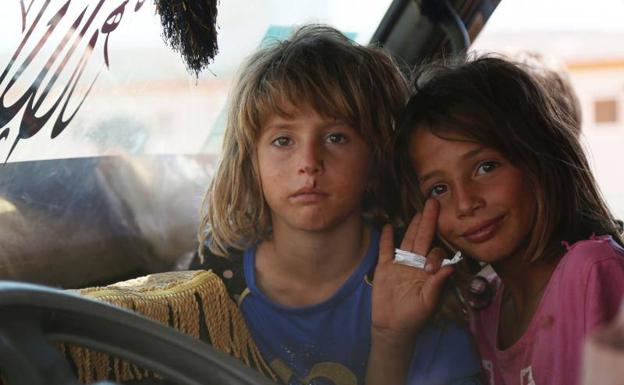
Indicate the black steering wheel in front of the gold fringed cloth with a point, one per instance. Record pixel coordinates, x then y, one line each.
33 317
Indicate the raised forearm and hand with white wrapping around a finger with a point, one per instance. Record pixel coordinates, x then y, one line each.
403 299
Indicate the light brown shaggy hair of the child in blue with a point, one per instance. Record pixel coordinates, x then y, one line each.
317 67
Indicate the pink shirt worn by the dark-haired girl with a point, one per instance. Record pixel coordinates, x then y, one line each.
584 292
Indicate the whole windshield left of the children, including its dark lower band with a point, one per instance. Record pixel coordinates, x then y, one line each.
108 141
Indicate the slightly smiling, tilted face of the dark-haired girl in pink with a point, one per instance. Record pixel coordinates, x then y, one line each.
487 205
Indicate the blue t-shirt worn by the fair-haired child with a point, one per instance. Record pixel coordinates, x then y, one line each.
329 342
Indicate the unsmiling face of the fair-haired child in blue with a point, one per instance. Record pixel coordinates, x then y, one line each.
314 170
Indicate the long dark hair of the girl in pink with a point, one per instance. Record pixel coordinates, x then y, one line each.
501 105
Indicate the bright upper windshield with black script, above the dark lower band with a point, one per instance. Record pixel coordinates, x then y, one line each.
88 78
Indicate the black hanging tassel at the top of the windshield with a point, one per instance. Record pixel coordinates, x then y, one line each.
190 28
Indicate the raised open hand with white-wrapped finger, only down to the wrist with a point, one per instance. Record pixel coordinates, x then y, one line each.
405 297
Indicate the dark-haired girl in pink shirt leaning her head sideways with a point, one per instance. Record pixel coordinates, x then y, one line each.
502 177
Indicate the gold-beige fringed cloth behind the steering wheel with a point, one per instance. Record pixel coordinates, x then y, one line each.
177 299
